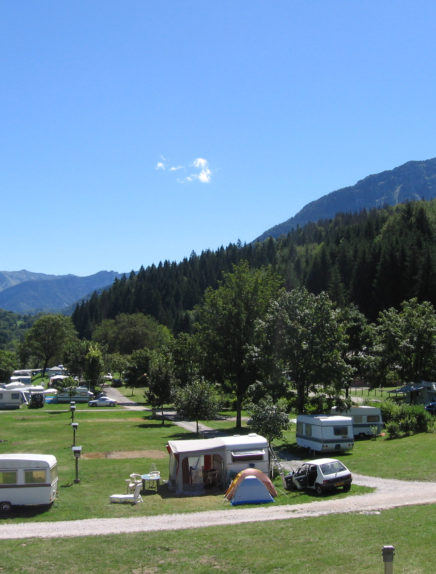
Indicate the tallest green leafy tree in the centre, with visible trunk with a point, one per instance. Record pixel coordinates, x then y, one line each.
226 328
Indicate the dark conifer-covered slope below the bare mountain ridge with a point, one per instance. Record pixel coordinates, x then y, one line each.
375 259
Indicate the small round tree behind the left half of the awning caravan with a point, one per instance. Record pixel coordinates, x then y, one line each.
196 400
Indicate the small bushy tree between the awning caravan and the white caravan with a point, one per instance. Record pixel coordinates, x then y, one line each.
268 419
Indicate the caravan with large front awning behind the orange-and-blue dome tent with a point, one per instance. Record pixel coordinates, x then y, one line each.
214 462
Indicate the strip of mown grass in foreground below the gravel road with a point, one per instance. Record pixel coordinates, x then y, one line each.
350 543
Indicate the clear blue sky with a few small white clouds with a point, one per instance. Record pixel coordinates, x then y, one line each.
138 131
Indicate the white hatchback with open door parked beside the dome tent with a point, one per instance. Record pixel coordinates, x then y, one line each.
321 475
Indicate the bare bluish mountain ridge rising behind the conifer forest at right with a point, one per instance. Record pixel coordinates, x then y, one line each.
412 181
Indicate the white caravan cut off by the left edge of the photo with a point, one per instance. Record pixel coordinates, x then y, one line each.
27 479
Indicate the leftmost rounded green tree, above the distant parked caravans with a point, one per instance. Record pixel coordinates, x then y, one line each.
47 339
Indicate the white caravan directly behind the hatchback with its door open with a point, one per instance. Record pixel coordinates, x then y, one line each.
323 433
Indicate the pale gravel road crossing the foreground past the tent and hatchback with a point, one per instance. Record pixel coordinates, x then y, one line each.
388 494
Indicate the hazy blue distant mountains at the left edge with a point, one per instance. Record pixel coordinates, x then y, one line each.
26 292
